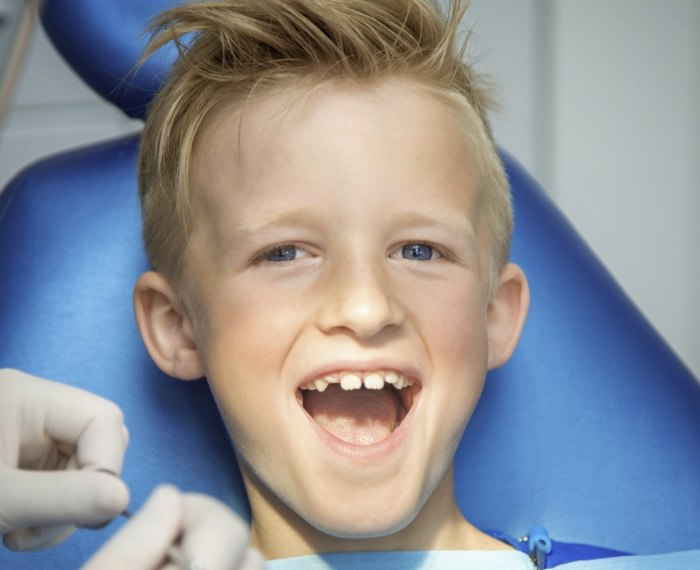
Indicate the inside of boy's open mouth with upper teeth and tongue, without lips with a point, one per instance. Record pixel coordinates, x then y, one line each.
360 408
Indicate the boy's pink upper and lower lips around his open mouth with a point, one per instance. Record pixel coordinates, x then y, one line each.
377 451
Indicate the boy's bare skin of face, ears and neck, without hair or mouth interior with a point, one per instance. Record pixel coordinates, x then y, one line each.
302 211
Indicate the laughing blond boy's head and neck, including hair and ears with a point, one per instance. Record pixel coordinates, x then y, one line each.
328 223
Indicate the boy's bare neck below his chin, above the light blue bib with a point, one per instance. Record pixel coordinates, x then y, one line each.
278 532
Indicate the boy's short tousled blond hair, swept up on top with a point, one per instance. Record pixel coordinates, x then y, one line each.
232 50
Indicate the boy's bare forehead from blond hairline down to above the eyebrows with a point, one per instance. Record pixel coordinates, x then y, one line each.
328 136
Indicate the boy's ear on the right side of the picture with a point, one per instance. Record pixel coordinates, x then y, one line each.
506 314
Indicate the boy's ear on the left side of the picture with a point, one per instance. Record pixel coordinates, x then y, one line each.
165 327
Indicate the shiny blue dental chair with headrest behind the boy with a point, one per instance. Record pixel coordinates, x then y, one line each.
592 429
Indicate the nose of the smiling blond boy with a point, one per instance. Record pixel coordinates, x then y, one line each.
360 301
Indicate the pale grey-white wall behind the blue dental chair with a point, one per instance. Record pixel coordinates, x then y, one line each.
601 102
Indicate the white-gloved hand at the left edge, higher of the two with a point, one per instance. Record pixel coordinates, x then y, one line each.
53 439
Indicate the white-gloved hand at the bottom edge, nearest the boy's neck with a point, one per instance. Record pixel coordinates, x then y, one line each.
204 531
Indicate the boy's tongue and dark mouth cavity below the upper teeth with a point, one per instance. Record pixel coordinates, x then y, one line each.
360 417
